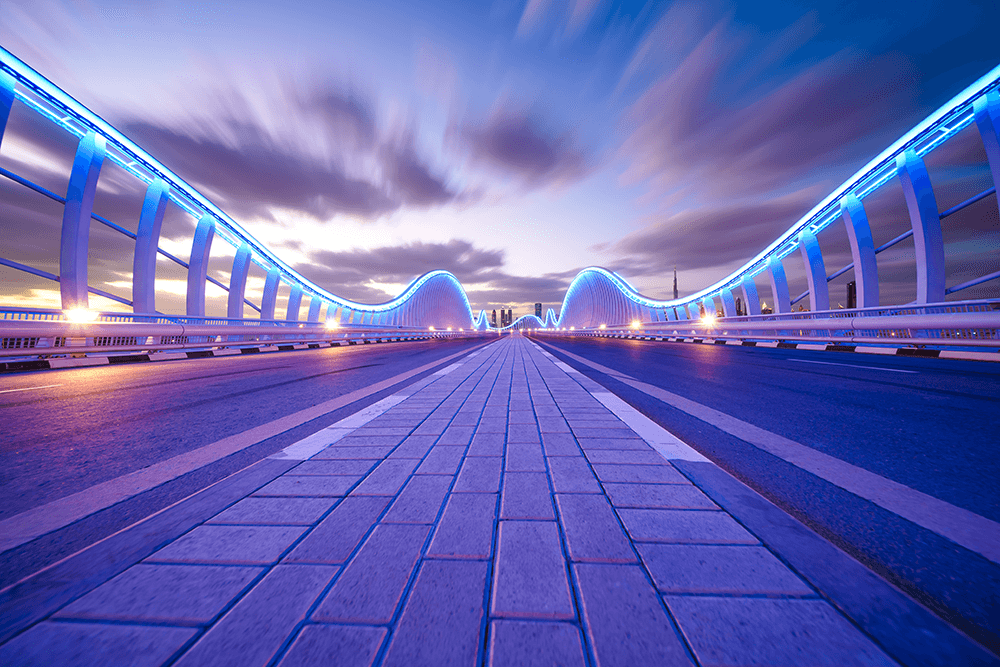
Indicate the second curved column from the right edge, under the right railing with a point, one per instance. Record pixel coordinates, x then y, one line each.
926 223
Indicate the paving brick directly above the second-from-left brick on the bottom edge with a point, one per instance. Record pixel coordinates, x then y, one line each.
336 536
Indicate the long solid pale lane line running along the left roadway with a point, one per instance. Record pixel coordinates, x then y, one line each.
26 526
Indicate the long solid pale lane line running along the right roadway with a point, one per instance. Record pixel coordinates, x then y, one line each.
965 528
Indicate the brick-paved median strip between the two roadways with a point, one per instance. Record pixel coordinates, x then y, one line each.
497 513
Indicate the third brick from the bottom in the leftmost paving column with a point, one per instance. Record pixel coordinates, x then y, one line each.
236 545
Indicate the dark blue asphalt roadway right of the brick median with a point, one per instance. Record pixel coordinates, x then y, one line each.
928 424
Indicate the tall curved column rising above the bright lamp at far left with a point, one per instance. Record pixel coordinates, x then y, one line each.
75 239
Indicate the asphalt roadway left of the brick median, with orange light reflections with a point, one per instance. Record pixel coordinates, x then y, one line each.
62 432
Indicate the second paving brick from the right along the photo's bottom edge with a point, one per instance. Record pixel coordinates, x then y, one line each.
624 618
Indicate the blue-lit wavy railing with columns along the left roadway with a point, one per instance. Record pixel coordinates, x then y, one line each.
434 299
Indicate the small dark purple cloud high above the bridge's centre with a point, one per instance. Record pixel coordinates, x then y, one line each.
514 144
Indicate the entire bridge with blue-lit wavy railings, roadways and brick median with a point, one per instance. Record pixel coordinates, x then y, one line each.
696 481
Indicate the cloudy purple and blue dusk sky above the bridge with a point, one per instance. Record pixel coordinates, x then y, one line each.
510 142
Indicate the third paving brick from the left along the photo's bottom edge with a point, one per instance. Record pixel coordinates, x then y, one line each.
340 645
